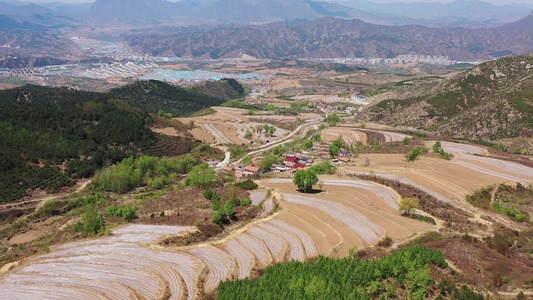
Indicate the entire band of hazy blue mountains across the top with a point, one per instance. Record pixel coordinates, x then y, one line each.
229 29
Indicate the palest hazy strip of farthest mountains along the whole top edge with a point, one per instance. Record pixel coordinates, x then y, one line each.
138 12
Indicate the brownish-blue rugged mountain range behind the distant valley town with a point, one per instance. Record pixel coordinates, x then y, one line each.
333 37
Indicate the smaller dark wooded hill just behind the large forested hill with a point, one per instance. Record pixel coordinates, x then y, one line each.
153 95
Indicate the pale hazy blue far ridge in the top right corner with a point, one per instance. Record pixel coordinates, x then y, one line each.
462 11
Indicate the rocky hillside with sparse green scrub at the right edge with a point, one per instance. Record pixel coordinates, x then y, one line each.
491 101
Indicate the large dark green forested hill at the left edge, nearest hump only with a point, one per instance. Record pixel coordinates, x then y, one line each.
48 130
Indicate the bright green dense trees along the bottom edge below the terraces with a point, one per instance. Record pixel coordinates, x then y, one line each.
330 278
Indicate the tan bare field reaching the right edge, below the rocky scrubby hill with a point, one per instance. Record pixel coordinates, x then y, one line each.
450 180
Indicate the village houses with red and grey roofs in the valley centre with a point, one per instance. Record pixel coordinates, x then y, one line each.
292 162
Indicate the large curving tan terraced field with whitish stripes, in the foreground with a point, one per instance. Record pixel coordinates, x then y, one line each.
127 264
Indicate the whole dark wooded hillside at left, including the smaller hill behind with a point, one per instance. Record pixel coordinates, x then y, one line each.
49 137
